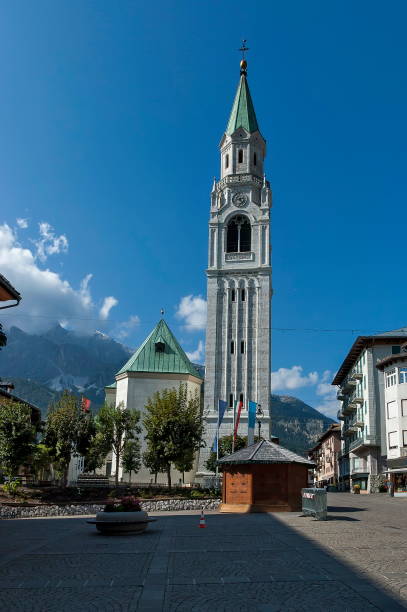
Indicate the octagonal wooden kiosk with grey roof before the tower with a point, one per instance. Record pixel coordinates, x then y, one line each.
263 477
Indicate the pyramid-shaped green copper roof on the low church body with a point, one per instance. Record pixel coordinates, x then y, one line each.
148 359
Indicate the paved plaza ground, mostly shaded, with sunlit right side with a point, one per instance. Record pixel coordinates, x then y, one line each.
357 560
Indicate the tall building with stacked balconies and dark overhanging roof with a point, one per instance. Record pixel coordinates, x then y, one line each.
363 455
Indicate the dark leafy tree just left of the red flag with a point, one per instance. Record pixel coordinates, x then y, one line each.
68 431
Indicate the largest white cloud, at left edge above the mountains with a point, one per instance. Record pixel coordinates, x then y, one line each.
46 297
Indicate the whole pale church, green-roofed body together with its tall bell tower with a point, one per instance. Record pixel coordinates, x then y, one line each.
238 334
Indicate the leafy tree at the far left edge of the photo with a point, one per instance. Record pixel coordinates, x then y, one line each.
17 435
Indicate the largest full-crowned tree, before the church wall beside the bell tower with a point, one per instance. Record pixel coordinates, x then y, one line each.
173 427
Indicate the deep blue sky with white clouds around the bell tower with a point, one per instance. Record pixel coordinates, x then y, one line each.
111 115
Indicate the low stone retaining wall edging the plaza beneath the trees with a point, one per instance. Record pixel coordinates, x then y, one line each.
164 505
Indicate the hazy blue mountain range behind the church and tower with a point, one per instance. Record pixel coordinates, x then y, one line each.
41 366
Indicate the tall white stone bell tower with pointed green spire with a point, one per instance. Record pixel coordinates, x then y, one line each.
238 334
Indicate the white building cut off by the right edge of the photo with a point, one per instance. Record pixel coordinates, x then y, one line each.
394 368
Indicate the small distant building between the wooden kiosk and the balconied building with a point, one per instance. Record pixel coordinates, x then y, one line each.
325 456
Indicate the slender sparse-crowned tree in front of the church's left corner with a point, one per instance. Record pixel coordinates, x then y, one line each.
117 425
